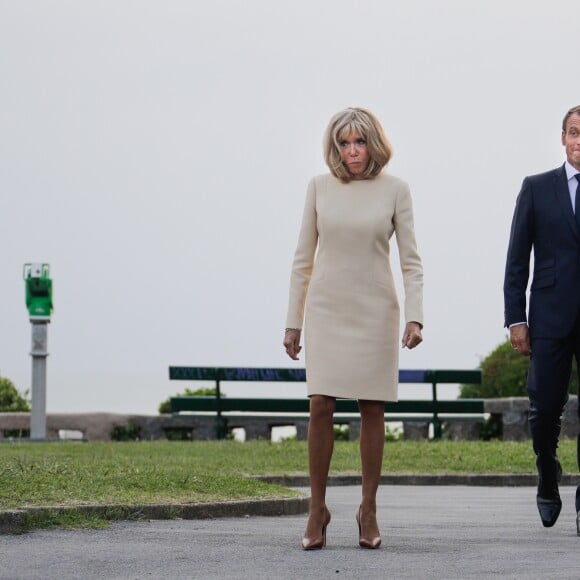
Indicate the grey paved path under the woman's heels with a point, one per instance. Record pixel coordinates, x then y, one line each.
428 532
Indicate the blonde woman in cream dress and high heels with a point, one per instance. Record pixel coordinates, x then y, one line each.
342 288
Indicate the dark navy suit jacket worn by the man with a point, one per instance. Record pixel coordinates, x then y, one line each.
544 219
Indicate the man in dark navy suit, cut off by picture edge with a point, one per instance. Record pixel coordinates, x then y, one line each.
547 219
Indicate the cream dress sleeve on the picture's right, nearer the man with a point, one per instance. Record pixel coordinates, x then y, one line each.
411 265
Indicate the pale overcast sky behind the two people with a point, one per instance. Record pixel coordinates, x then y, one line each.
156 155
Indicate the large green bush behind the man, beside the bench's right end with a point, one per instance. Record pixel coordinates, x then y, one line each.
505 374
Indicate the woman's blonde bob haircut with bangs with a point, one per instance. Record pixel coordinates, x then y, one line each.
368 126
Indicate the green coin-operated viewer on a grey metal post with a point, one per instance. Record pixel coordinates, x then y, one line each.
39 304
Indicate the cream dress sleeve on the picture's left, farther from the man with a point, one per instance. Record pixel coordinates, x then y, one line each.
303 261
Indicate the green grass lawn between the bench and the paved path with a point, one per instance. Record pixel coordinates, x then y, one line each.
51 474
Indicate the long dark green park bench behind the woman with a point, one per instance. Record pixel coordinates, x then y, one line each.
277 410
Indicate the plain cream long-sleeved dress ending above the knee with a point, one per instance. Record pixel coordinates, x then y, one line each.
342 285
